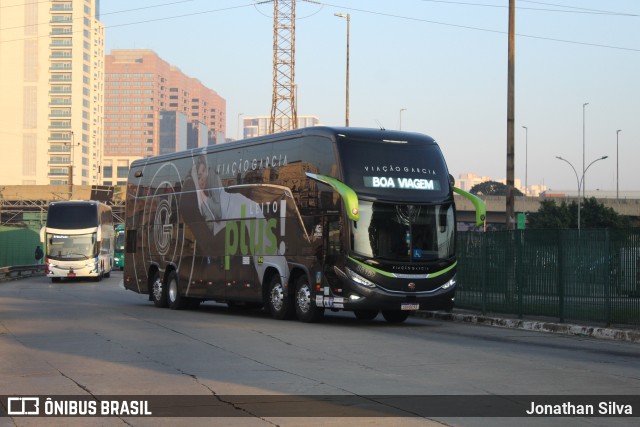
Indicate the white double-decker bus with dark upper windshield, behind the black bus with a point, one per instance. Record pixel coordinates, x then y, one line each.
78 240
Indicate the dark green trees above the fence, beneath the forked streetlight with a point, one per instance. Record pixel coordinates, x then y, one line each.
593 215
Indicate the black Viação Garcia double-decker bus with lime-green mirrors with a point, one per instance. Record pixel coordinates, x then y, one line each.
300 222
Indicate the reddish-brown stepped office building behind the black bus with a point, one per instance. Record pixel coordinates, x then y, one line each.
152 108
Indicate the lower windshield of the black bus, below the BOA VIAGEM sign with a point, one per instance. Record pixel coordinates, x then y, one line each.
404 232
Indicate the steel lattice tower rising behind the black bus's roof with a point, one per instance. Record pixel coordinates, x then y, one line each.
283 106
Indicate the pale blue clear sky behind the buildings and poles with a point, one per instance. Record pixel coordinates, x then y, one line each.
436 67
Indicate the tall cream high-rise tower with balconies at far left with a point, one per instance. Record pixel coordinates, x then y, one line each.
52 85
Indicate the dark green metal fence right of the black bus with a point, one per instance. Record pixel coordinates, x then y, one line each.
587 275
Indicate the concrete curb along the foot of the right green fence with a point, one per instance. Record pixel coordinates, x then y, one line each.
532 325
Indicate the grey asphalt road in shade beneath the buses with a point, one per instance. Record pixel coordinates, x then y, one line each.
84 338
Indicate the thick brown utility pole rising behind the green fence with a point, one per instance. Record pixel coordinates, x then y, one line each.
510 207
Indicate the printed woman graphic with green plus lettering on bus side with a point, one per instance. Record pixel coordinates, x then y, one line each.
249 215
